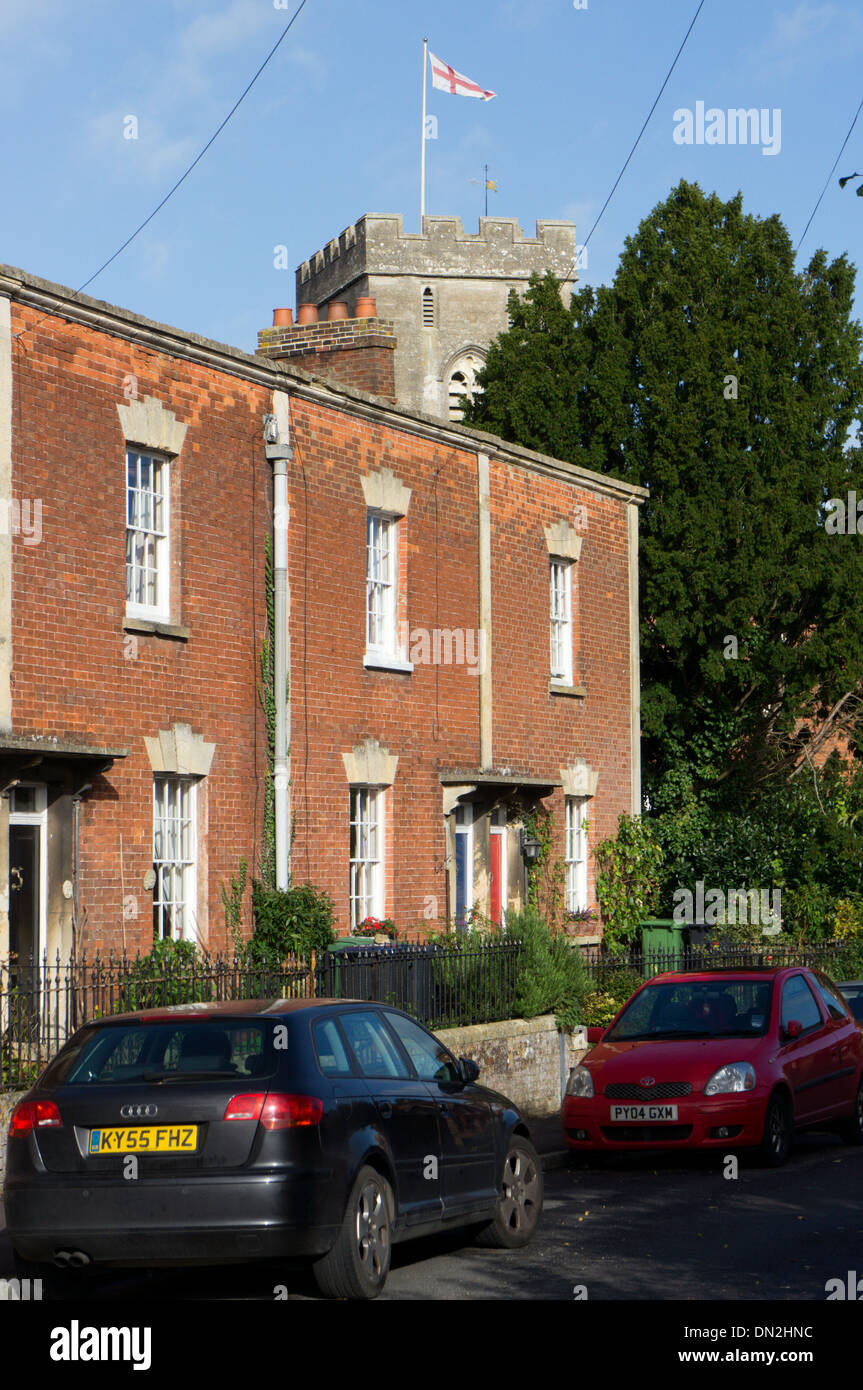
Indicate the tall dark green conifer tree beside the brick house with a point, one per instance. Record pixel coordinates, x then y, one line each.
730 384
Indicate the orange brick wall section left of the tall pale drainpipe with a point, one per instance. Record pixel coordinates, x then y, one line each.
77 673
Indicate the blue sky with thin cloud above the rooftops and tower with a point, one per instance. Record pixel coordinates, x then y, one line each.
333 130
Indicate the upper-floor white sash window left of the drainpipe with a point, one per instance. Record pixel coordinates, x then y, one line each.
142 522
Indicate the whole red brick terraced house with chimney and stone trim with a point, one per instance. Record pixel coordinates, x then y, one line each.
461 633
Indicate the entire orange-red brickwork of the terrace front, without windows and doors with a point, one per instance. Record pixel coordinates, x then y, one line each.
79 673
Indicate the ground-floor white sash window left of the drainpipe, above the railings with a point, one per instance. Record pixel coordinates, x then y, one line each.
179 865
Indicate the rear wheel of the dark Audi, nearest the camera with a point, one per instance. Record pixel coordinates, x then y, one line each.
359 1263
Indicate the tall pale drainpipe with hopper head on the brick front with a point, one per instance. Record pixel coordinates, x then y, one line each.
277 433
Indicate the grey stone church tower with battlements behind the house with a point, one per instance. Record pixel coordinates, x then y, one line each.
444 290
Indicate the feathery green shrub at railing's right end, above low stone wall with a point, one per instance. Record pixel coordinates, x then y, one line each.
551 972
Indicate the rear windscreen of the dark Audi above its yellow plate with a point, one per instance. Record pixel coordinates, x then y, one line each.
112 1054
